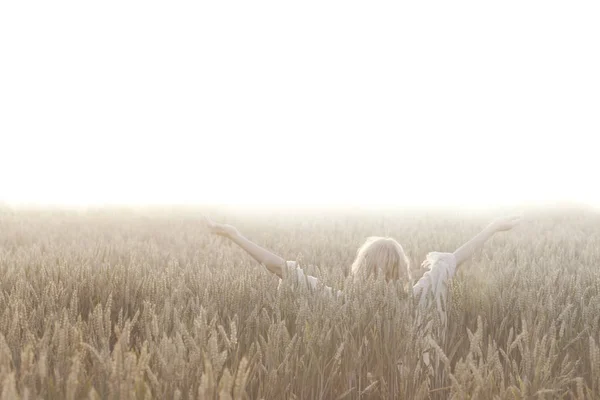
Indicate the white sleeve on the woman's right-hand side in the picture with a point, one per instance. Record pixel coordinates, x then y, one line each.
435 281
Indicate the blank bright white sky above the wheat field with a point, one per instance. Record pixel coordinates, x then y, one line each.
302 102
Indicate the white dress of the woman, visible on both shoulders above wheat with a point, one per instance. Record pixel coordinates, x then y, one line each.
433 285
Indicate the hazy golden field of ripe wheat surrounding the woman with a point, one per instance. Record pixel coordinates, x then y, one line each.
123 304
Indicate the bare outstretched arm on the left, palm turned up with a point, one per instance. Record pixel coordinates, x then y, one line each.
272 262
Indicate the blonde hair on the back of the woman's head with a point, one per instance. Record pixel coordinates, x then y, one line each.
381 255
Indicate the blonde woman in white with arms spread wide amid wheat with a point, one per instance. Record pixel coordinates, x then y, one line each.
379 255
